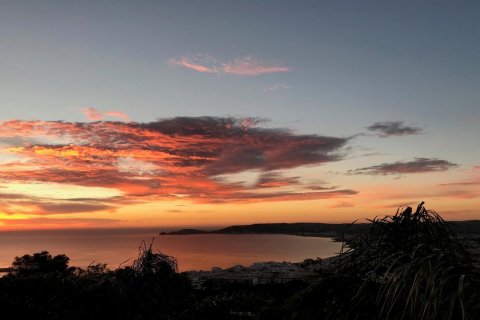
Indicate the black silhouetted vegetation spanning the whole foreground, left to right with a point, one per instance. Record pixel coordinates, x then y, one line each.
407 266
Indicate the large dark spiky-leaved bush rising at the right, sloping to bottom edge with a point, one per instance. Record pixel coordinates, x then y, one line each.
407 266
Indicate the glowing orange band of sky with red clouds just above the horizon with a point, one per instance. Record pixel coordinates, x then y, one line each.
206 172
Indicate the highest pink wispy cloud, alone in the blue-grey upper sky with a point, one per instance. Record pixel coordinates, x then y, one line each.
242 66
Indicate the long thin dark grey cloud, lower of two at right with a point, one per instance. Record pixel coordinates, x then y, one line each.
419 165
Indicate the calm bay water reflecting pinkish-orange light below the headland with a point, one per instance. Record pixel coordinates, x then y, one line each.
194 252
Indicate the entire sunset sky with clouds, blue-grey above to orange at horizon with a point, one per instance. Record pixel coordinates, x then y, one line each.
212 113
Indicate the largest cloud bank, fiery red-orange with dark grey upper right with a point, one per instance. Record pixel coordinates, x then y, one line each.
169 159
